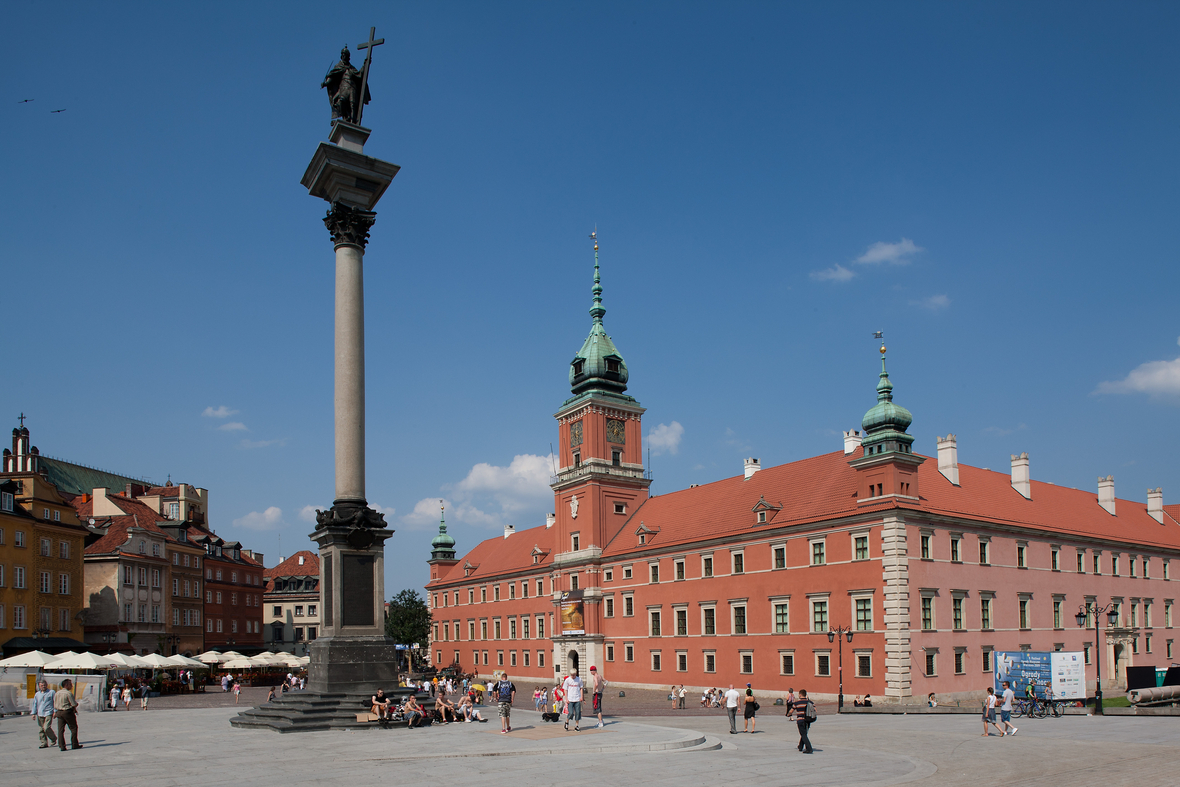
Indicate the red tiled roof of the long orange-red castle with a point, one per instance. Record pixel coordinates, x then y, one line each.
825 488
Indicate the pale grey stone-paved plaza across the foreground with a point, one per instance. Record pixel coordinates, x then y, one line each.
199 746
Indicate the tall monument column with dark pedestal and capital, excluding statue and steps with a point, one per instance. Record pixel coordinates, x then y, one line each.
352 655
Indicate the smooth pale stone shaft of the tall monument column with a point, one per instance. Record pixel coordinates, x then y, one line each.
350 373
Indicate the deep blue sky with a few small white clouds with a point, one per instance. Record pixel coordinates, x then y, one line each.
994 186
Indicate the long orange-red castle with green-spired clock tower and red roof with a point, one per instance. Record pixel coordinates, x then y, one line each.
930 565
